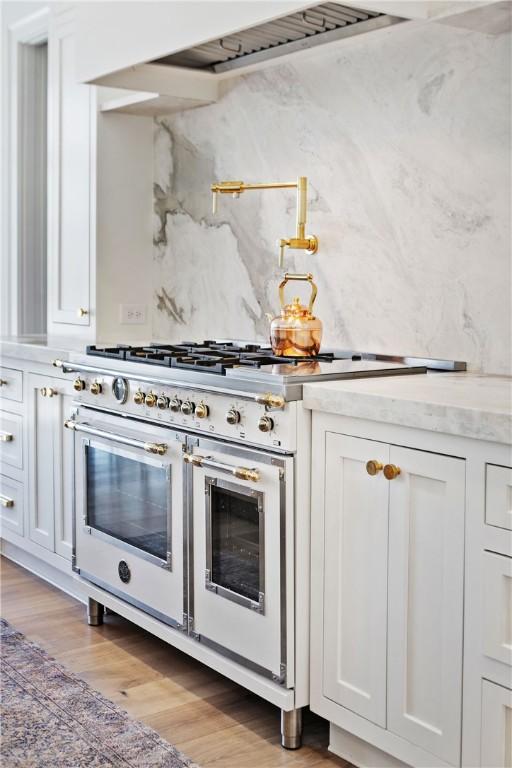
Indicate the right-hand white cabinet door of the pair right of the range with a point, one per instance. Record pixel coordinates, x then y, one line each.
425 615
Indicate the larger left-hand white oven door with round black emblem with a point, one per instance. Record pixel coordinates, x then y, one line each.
129 511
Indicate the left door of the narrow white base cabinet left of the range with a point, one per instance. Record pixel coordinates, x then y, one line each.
41 416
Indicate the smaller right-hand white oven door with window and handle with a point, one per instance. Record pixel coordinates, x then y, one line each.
241 531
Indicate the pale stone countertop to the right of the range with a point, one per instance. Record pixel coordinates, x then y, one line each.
466 404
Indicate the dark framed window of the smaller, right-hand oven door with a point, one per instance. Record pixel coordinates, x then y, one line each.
235 543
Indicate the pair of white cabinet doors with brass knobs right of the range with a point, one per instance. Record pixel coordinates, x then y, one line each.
387 640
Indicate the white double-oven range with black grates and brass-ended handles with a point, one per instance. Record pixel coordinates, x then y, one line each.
192 466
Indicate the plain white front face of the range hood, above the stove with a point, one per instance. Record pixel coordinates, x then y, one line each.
114 36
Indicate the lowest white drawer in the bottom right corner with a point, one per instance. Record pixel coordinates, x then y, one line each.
496 744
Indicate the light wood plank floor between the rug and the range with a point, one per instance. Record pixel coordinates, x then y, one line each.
212 720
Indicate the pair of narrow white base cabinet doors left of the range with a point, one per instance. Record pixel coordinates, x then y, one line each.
50 463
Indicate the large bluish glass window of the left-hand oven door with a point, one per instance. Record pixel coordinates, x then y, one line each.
128 499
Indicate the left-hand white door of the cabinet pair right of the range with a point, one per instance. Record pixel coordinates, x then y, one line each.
355 586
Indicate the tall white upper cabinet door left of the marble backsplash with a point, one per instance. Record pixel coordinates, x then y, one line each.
69 180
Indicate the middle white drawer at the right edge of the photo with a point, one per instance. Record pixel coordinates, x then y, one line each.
497 608
